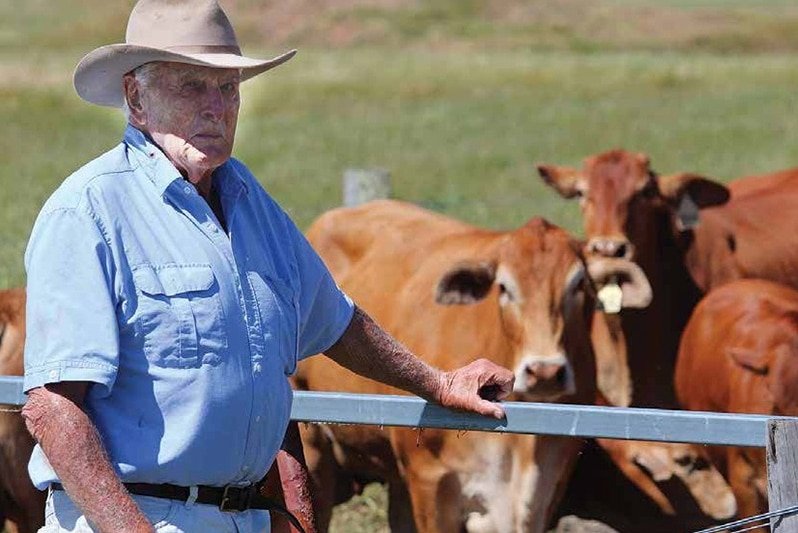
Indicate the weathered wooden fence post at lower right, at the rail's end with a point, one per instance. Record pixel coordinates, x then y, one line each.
782 454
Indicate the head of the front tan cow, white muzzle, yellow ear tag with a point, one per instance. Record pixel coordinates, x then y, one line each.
544 298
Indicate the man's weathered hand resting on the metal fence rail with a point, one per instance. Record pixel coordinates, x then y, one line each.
475 387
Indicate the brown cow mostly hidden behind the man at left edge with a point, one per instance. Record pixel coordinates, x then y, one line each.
20 502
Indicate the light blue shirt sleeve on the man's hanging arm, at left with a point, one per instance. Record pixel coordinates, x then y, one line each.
72 333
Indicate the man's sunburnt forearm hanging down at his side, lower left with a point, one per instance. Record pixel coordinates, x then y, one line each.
74 449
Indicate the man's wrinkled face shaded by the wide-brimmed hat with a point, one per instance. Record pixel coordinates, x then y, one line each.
191 112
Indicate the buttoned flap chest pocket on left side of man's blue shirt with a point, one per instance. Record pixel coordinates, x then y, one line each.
180 314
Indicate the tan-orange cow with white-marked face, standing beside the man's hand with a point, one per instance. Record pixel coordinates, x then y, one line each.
452 292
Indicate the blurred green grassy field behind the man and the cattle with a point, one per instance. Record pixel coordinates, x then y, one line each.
457 99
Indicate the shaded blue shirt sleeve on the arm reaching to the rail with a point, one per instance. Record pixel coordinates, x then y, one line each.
324 309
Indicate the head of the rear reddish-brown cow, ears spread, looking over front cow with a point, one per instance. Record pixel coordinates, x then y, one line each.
618 192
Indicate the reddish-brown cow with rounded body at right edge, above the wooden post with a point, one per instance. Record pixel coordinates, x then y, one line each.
739 354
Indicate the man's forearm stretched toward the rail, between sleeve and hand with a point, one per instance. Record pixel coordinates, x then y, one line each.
366 349
